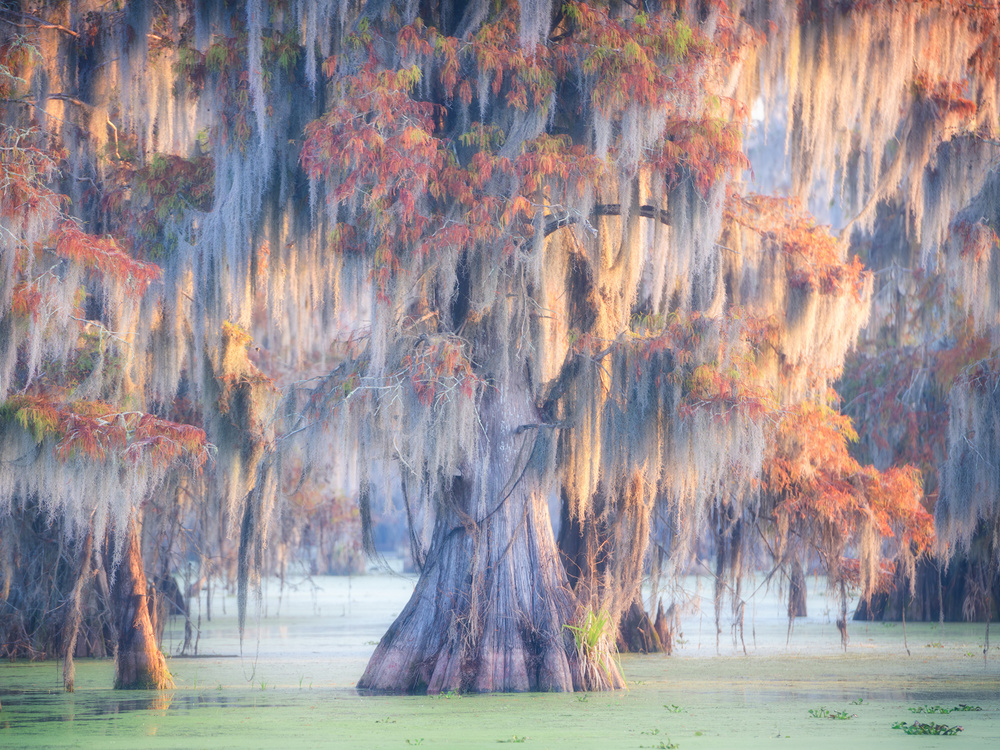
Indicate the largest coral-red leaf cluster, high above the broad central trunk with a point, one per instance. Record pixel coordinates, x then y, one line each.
377 150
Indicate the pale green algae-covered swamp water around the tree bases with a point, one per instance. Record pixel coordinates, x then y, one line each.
293 686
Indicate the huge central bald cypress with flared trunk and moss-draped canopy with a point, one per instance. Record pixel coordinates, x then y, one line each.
508 250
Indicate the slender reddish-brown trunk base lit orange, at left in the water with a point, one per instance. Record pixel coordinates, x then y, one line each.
139 664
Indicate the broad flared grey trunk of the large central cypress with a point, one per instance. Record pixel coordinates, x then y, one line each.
489 609
